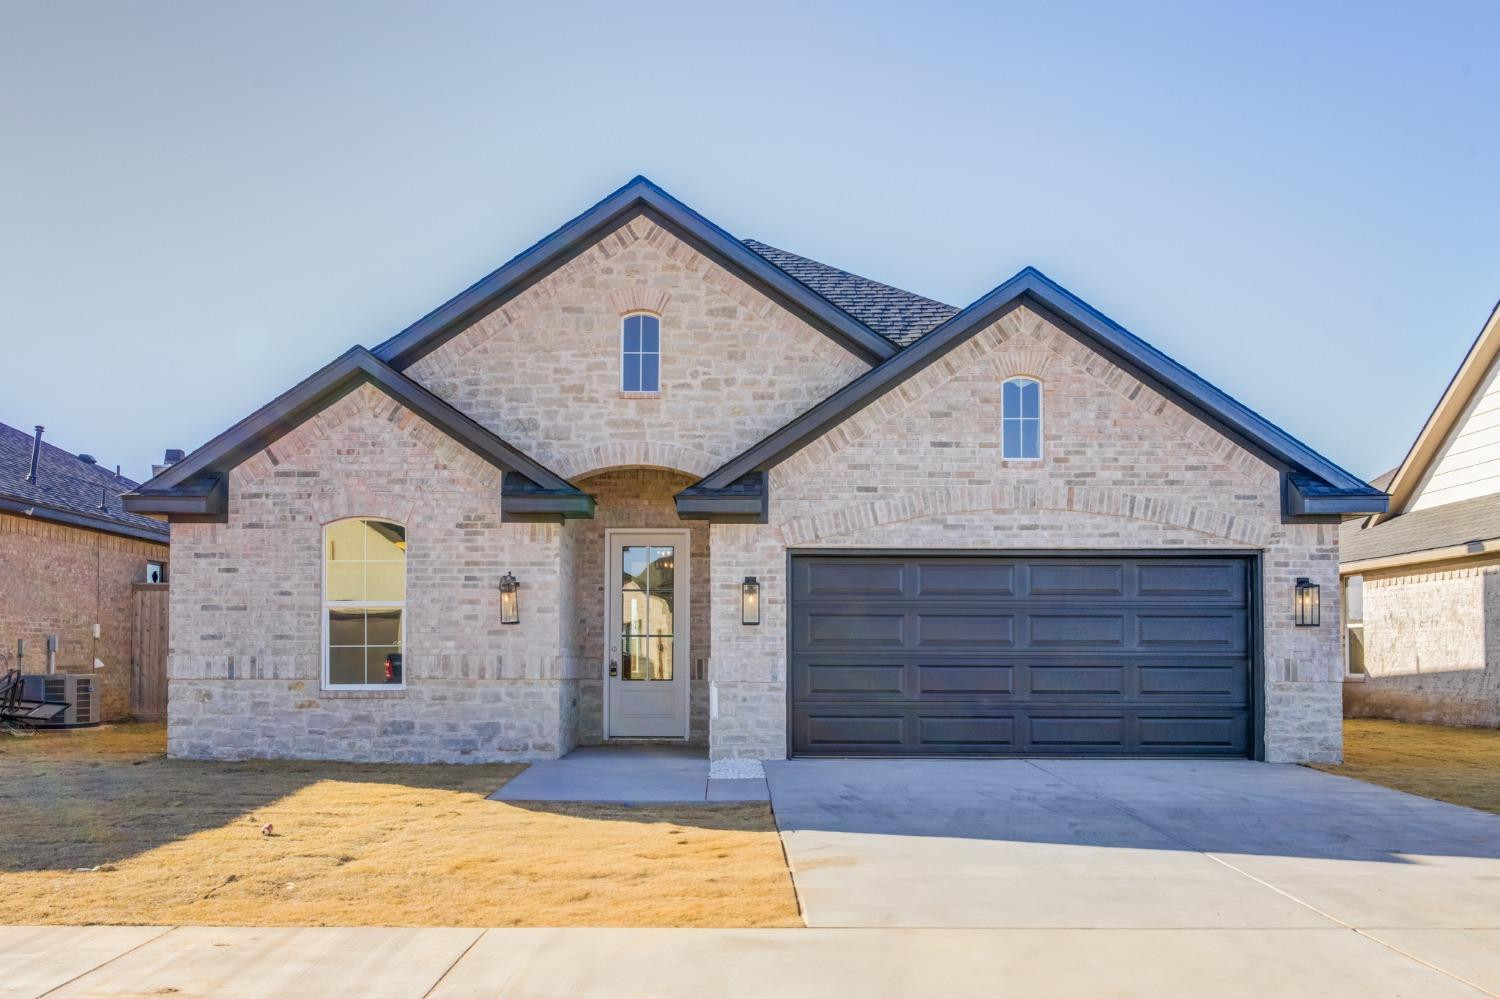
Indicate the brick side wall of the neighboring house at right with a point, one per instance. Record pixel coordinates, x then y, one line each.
1432 649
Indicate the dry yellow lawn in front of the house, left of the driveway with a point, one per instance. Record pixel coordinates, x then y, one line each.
100 827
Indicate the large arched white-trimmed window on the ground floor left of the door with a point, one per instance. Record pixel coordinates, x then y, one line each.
364 604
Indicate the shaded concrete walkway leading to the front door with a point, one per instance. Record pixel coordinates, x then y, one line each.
631 775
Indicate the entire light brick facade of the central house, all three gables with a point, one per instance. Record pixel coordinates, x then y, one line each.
1124 469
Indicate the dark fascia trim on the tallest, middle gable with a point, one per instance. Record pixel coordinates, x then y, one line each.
638 197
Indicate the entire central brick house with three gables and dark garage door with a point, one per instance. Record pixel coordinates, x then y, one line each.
755 503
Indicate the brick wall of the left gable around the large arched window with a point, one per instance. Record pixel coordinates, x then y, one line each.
245 668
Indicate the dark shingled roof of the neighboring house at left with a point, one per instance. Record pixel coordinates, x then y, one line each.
68 490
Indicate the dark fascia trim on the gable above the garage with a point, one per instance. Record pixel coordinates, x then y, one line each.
1036 290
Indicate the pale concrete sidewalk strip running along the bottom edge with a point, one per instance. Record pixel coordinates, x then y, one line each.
397 964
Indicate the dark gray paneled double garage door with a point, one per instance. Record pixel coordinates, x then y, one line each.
1048 656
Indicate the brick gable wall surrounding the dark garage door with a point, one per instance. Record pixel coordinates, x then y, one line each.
1123 469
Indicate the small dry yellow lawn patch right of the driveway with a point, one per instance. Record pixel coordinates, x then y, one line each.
1459 766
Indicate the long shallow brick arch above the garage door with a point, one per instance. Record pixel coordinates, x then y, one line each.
962 500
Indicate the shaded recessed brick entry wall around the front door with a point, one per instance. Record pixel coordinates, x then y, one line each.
634 499
